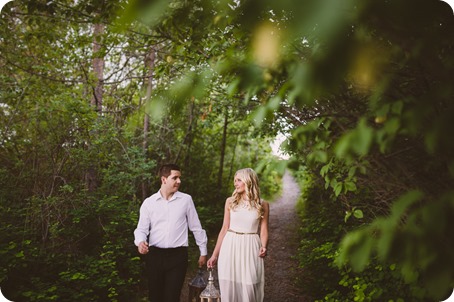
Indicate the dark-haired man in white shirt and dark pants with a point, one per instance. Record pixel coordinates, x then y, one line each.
162 234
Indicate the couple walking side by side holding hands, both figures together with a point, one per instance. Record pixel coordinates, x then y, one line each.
162 236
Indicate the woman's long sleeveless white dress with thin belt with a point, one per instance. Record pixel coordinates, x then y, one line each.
241 271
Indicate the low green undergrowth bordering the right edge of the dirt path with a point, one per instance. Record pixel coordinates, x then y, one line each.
324 225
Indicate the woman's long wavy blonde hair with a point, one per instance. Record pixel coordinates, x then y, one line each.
251 191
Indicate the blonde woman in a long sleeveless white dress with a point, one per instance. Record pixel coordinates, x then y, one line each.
240 248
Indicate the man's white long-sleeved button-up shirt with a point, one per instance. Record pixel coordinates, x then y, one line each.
165 223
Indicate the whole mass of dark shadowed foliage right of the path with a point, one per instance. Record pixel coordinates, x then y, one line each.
380 147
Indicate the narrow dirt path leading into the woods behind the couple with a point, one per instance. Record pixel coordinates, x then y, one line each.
281 269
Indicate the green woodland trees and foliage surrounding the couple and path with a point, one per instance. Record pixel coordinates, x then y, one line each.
96 94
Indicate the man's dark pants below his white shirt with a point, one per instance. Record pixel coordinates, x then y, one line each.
166 271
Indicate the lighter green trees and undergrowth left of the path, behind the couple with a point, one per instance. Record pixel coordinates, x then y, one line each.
76 163
